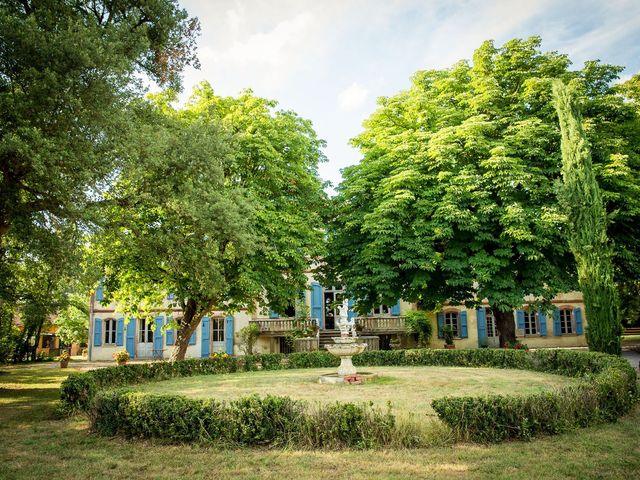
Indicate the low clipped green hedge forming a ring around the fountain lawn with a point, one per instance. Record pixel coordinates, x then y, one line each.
607 390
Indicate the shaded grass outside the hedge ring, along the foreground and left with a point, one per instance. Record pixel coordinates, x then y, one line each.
35 444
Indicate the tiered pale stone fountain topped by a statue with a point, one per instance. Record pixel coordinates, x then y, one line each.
346 346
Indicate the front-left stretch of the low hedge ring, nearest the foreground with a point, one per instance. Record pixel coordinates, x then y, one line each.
274 421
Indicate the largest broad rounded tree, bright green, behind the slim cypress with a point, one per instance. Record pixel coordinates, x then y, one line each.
455 196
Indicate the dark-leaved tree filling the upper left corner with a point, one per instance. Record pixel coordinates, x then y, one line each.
68 68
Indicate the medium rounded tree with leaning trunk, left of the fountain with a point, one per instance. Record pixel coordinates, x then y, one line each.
221 210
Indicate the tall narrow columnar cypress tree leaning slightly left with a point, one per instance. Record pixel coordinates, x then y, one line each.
587 226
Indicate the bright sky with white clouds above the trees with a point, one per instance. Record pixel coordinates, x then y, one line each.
330 60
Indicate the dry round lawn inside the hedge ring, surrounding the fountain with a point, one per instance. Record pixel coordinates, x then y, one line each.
407 389
